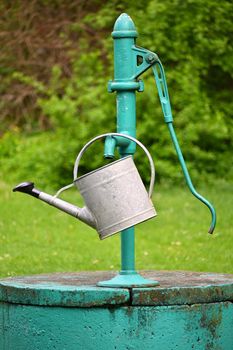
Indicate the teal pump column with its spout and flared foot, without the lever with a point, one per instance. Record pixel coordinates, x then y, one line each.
125 85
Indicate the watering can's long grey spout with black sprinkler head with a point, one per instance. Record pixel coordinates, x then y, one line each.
82 214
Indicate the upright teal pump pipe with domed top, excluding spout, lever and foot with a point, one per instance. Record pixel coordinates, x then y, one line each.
124 35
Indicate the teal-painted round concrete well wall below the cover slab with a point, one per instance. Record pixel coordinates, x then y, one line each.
199 327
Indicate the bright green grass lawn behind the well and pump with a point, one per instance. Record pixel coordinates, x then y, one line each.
36 238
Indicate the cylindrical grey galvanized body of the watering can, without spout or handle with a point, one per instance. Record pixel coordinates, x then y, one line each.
116 196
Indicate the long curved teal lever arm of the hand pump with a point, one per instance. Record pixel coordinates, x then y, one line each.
161 84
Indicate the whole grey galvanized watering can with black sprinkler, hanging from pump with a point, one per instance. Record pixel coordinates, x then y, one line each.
114 195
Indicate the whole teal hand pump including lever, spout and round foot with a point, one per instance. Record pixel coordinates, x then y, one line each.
131 61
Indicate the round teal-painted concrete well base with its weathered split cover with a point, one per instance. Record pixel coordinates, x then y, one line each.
67 311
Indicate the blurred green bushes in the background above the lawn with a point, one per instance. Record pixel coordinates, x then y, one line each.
194 41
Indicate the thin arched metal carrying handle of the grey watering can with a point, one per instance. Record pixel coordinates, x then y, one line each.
76 165
